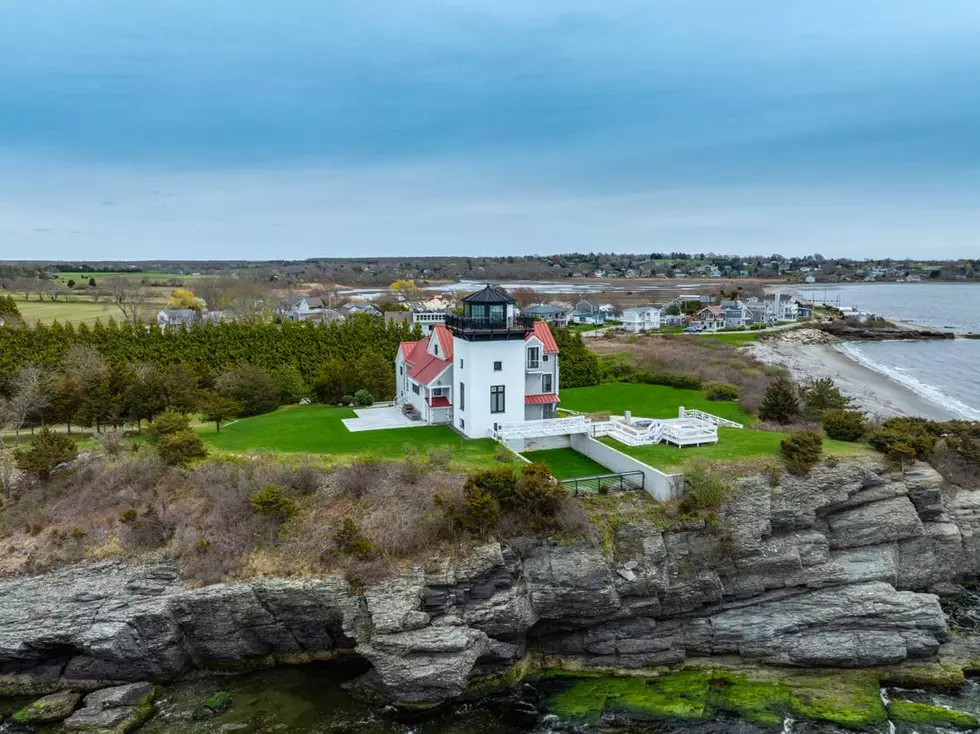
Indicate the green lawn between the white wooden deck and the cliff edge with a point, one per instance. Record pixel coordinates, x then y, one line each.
733 445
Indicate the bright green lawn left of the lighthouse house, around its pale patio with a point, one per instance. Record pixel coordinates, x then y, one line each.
317 429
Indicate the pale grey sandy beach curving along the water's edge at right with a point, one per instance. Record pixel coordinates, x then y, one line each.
872 392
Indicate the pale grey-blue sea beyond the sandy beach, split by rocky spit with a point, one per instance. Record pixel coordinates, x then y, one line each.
946 373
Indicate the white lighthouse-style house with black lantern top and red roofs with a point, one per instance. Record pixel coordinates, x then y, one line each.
484 368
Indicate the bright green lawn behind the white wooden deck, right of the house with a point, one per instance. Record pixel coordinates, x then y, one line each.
647 401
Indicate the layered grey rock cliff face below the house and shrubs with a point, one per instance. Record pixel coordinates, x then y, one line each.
839 569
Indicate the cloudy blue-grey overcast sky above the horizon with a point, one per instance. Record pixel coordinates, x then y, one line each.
302 128
